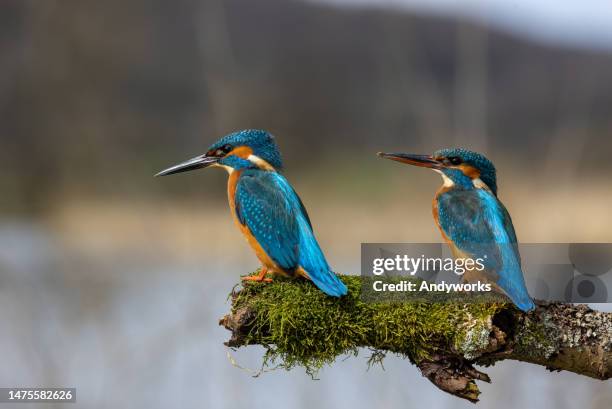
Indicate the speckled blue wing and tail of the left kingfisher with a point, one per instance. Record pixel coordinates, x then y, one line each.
275 215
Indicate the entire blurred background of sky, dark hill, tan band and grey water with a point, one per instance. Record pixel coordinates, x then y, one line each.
112 281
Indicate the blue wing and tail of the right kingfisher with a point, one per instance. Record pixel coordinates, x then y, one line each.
478 223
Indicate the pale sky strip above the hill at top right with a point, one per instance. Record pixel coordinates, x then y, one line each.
582 23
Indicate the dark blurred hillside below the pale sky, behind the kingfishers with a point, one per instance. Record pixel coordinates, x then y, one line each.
95 95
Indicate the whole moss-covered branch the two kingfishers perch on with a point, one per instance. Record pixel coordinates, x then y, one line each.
298 325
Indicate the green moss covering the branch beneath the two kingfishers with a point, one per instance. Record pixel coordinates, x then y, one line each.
299 325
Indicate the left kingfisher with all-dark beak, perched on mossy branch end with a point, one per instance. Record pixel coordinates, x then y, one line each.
266 208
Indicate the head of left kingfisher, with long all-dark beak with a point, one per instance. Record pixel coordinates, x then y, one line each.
247 149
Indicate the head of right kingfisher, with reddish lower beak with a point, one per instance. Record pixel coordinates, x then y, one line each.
458 166
